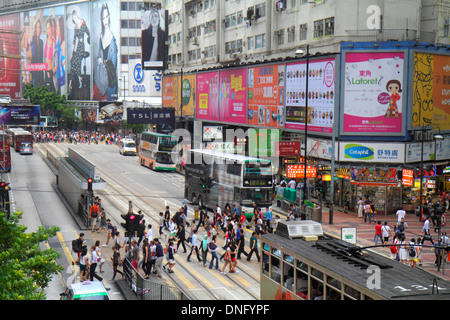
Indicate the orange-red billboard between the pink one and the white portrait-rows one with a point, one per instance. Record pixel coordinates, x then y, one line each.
266 96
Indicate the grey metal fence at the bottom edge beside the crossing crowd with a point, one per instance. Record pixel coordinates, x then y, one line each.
149 289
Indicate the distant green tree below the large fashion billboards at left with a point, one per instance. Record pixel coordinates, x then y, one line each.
51 104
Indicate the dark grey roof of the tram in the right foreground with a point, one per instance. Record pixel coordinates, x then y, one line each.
397 281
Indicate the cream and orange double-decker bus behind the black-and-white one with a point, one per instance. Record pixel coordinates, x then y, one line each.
157 151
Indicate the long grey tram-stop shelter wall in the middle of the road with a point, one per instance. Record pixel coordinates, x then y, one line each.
74 170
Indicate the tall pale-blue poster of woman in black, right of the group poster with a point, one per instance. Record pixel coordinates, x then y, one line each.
78 60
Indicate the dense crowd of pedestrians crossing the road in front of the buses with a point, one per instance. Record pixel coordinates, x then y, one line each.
154 253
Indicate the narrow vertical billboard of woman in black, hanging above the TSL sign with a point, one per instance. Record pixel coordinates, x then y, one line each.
154 24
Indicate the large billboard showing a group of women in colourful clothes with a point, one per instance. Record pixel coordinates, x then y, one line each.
43 48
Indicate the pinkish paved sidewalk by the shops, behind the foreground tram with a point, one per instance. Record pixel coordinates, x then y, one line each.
366 234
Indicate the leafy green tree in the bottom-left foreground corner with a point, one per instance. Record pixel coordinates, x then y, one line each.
25 269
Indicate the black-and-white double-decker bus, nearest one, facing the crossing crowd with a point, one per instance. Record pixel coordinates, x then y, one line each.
225 179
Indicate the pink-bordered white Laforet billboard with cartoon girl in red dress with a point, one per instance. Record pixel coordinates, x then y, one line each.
374 85
